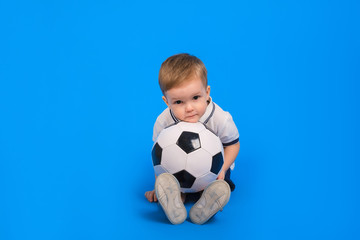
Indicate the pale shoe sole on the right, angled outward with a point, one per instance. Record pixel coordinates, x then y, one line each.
213 199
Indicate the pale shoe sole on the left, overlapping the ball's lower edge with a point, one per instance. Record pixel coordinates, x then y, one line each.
167 190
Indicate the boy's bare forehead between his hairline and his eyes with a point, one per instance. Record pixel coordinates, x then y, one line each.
186 89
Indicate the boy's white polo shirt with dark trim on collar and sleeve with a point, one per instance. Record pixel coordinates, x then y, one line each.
216 119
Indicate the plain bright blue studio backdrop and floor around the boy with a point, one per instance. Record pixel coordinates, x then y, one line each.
79 97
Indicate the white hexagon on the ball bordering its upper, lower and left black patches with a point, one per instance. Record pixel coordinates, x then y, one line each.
173 159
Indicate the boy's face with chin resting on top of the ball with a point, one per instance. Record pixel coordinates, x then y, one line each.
188 101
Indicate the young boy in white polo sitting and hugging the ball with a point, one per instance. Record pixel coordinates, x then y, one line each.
183 82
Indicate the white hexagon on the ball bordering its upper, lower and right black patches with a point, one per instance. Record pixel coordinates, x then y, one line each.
198 162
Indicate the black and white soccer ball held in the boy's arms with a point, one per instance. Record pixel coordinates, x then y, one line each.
191 152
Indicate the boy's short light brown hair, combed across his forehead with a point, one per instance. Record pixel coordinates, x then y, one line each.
178 69
